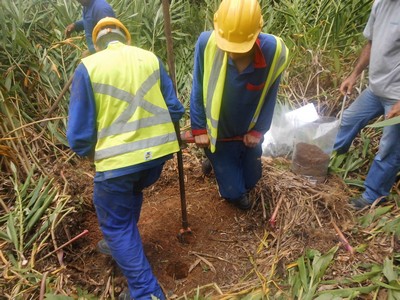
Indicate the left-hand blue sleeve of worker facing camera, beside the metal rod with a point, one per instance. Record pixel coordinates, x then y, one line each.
197 111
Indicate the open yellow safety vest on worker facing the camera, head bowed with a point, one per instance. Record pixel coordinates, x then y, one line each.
215 65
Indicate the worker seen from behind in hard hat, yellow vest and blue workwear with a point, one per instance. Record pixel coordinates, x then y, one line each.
122 109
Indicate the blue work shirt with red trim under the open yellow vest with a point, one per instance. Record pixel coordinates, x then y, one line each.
242 92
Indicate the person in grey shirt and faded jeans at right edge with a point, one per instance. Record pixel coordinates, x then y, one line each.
381 54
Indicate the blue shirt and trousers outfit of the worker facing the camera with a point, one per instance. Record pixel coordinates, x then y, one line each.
237 168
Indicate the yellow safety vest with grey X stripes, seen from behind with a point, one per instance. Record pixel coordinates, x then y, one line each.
133 122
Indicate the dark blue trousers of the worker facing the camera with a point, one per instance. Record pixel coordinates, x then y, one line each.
237 168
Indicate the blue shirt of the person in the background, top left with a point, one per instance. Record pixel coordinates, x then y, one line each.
91 14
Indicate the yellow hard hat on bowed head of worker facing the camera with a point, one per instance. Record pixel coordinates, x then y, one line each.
237 24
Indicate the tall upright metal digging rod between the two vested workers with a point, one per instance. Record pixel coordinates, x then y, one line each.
168 34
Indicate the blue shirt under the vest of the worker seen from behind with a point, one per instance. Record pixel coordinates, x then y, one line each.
82 131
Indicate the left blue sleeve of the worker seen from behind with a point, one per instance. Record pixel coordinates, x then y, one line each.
81 129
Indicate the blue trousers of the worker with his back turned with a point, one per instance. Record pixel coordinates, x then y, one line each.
118 202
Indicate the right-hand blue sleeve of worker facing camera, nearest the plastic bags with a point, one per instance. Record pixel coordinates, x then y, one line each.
265 118
